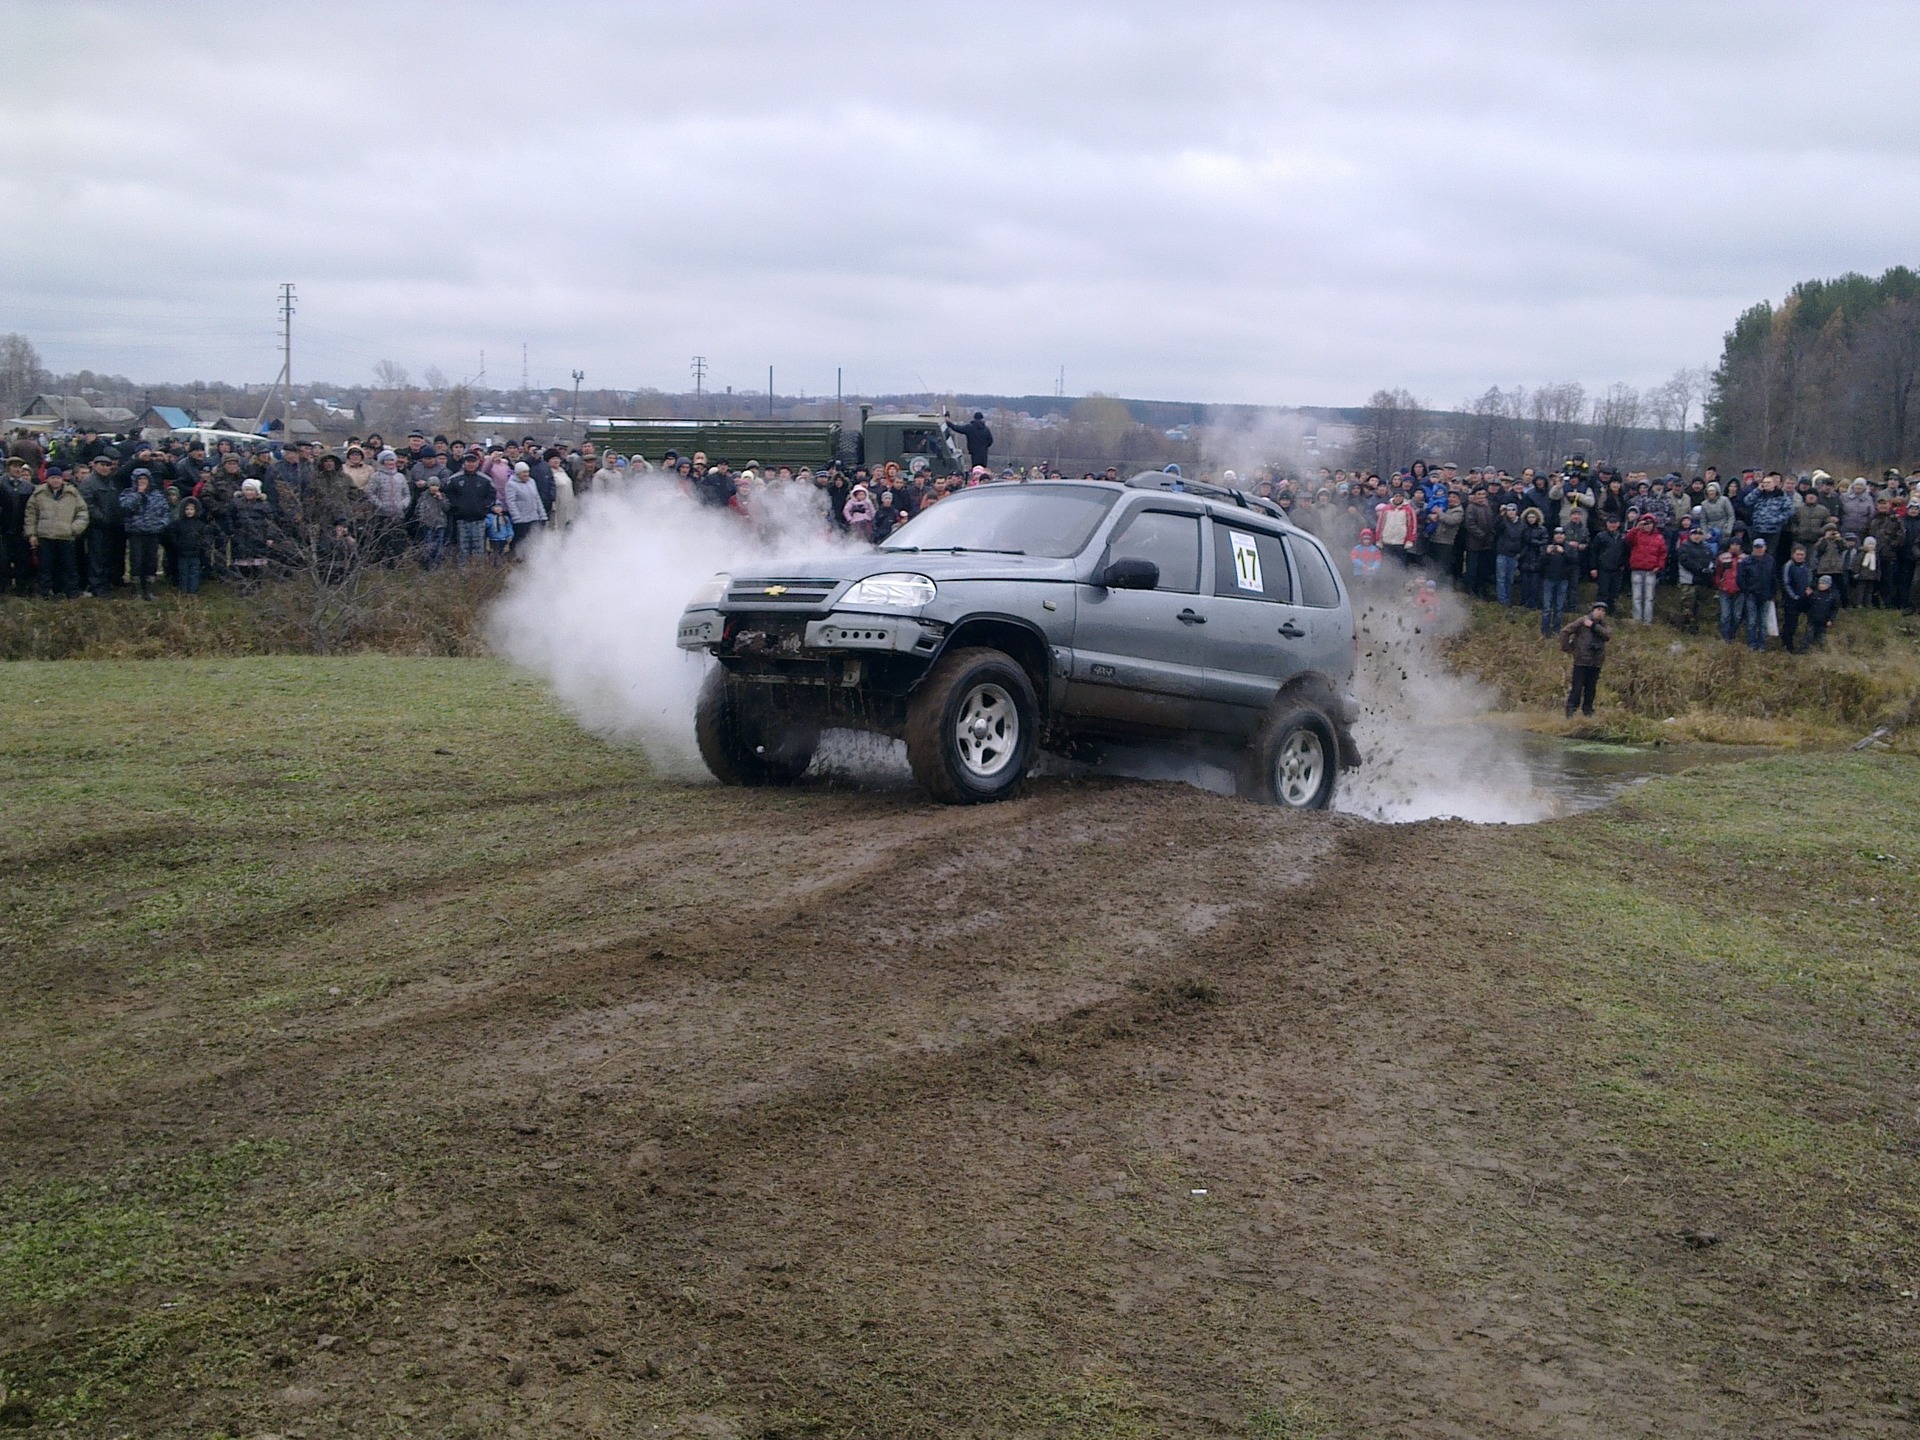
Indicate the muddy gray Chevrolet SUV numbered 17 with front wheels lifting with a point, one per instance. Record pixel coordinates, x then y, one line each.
1055 615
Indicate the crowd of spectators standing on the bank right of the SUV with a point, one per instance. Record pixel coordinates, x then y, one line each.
1764 552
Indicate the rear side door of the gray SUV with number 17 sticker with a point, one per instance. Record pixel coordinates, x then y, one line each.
1257 636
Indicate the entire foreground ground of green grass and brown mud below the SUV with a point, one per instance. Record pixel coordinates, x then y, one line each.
381 1055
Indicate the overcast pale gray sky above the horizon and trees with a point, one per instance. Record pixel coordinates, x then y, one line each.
1266 203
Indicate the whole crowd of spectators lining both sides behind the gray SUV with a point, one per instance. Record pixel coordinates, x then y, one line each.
1764 554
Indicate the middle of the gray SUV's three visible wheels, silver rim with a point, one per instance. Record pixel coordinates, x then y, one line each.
971 727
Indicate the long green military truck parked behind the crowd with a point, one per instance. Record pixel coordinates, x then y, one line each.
815 444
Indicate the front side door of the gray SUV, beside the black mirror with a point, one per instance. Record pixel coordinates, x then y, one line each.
1138 654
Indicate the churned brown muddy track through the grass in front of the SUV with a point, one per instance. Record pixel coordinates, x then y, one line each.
698 1184
